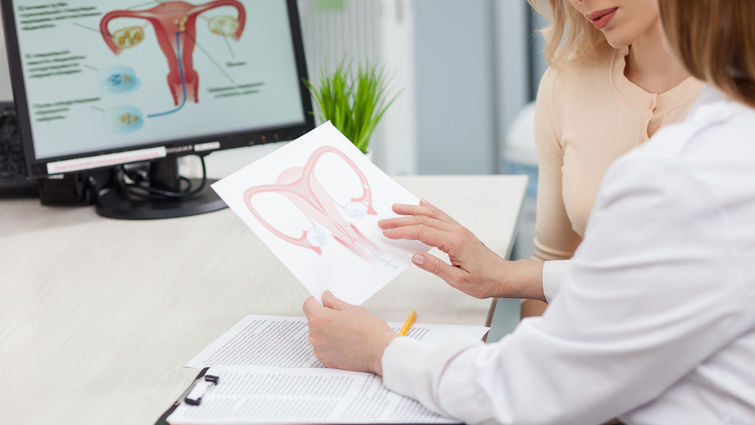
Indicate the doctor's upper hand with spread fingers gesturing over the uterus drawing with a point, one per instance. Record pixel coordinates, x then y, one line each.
474 269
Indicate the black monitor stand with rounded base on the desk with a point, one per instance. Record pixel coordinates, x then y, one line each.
116 202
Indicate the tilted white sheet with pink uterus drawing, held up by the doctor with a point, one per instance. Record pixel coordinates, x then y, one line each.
316 203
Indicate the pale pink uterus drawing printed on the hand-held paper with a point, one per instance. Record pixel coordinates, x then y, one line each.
301 187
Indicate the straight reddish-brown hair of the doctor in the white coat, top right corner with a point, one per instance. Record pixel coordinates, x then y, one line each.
715 40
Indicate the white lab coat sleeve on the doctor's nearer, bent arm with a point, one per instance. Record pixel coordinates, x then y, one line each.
649 295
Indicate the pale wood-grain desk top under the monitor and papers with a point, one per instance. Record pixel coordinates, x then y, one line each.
98 316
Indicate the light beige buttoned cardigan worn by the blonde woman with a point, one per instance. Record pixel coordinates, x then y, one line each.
587 115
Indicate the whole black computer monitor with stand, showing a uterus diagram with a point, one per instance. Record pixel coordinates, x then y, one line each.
102 84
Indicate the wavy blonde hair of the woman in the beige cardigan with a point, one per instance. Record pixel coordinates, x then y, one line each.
569 36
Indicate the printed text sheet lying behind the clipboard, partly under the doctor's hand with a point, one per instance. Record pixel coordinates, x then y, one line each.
278 341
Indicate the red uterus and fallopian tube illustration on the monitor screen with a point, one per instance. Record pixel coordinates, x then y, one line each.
175 27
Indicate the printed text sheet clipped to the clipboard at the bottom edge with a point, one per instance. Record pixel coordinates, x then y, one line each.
272 395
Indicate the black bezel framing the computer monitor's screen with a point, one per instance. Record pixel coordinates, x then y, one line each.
38 167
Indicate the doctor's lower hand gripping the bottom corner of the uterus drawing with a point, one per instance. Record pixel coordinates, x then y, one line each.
346 336
